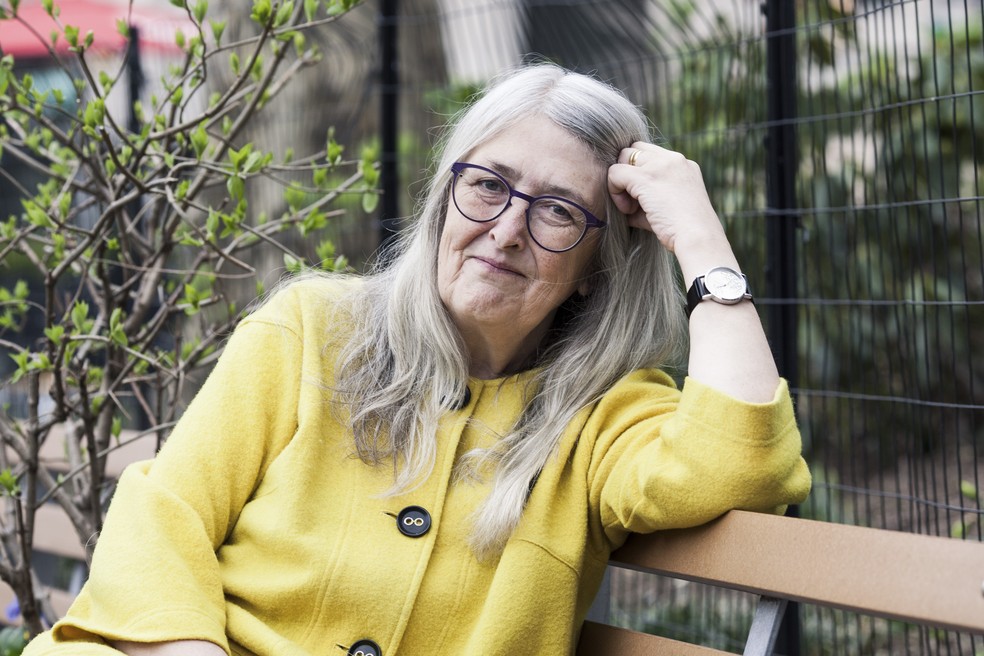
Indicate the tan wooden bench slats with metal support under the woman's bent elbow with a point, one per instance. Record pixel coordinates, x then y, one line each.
920 579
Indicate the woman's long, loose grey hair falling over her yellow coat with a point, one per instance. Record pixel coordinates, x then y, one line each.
406 364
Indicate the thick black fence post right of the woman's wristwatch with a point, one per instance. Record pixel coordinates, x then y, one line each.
781 223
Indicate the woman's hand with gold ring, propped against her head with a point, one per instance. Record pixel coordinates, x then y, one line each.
662 191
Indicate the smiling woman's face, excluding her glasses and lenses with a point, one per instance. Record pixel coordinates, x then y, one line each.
492 276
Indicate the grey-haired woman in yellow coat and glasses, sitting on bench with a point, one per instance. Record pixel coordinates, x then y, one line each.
439 457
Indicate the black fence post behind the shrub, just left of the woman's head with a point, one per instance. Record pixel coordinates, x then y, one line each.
389 82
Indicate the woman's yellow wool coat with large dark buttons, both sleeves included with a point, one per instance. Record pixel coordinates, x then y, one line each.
257 529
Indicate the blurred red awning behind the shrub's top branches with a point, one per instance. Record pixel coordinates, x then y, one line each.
157 25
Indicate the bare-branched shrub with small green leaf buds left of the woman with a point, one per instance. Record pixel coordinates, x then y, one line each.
117 267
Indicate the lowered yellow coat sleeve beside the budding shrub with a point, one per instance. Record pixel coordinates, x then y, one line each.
154 575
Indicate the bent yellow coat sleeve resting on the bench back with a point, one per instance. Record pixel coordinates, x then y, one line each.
664 459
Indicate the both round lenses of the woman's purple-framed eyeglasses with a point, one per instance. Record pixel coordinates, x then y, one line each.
554 223
